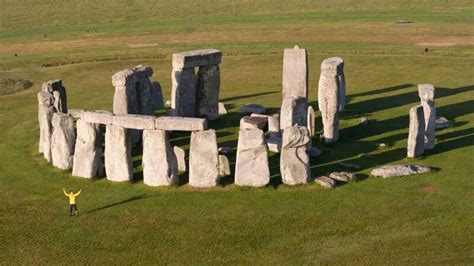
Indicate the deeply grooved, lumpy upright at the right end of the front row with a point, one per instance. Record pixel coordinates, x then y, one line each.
294 160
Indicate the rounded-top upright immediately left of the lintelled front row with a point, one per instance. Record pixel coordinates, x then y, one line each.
62 141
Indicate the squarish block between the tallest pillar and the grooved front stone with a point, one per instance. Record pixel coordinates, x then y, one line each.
294 111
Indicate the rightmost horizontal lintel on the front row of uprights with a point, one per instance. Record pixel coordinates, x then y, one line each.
180 123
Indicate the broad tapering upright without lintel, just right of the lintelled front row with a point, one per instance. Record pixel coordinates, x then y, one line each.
251 168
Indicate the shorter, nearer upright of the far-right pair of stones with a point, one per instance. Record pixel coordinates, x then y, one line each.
416 135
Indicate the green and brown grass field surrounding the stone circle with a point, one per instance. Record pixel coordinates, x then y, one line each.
422 219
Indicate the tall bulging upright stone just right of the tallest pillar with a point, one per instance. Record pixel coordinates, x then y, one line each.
330 100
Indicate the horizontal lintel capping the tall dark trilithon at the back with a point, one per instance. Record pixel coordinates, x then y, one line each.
190 59
